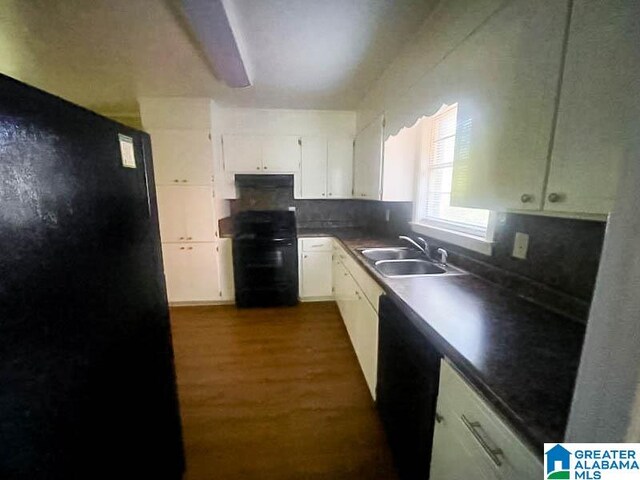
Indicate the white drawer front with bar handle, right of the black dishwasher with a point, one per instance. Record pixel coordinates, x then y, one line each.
468 414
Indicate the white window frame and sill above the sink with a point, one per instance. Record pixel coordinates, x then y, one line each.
463 235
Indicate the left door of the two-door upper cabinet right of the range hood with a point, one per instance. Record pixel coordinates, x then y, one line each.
313 168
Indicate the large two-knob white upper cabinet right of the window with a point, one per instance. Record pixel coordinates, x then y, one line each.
539 132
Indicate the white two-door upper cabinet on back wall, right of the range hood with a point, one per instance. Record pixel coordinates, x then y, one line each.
326 169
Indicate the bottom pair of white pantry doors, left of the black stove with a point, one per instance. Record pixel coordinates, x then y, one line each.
191 272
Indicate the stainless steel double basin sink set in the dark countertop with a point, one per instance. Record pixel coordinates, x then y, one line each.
405 262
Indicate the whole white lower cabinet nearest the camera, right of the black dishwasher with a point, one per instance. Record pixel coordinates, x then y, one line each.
471 441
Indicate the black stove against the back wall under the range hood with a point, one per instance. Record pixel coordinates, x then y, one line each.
265 258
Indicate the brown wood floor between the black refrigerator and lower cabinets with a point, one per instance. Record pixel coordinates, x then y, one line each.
274 393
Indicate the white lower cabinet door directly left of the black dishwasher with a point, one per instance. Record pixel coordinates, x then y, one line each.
367 344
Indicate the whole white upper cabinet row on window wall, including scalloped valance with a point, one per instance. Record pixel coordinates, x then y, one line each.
540 126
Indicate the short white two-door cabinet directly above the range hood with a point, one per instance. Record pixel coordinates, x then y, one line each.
261 153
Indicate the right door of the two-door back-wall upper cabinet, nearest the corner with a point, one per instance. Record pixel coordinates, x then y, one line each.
339 167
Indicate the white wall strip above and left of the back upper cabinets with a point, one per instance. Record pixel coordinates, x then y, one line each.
272 122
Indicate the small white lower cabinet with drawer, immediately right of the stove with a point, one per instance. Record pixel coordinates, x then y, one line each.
314 268
